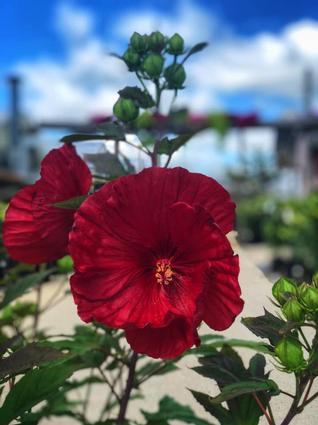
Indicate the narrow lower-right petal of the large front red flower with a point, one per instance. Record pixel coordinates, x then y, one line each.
221 299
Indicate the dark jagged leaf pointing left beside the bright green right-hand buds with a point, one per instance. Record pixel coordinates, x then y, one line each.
266 326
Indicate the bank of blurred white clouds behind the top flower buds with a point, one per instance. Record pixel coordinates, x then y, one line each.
86 82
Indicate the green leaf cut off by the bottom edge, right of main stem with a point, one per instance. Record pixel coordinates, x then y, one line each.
170 410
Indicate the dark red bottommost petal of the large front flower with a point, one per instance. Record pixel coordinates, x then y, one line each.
164 343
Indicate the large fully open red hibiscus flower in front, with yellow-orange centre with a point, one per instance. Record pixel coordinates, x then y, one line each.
151 257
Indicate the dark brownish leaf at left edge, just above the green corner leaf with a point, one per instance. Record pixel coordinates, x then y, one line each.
26 358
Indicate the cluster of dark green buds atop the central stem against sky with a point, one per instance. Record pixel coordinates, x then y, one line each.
153 58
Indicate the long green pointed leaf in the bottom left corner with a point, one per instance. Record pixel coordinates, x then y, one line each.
35 386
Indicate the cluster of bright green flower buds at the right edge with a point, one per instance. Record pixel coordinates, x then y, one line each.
299 304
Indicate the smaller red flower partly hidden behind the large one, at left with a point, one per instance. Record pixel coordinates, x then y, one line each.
34 230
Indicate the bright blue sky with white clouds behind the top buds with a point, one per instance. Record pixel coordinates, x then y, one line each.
257 52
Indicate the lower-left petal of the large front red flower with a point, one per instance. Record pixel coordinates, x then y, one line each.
121 298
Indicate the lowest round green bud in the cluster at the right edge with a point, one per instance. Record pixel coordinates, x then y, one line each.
290 354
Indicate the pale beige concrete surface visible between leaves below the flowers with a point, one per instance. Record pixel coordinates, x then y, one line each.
256 290
